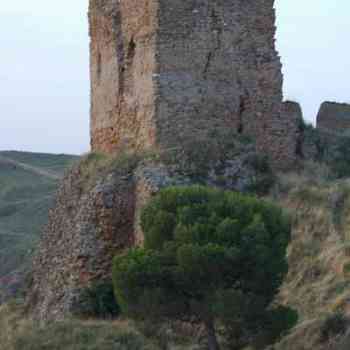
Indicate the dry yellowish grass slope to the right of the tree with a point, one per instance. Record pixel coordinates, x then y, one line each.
318 283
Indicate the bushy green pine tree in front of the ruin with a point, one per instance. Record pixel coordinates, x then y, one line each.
203 248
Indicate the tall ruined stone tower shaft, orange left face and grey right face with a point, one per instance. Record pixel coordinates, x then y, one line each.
163 71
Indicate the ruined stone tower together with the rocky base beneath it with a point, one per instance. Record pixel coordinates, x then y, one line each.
162 72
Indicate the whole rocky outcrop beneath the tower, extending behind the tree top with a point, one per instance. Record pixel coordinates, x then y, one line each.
97 215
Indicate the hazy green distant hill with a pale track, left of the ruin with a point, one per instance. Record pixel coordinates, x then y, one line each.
28 182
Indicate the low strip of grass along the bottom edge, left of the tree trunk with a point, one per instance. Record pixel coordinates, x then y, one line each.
17 332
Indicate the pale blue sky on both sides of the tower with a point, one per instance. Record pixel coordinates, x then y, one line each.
44 67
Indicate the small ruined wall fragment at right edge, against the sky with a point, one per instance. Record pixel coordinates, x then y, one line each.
334 117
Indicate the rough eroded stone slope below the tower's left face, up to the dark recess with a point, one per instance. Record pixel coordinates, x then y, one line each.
85 230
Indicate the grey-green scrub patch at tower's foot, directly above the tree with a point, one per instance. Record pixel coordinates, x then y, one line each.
221 158
